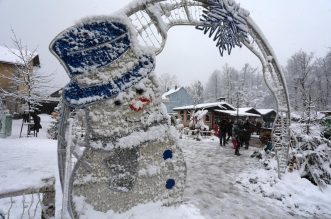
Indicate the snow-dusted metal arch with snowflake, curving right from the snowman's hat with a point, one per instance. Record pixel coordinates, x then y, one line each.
230 26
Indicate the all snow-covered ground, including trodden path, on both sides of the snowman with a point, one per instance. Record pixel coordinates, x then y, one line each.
219 184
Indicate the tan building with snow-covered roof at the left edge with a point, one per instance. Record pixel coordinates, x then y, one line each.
10 61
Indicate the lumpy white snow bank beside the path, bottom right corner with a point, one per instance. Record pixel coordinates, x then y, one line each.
293 193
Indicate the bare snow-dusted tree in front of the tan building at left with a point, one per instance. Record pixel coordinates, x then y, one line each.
26 83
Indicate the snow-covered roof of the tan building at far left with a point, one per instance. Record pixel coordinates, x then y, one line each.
7 55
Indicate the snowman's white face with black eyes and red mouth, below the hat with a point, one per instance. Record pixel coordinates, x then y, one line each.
132 110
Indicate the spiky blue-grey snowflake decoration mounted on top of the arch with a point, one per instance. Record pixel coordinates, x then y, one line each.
226 21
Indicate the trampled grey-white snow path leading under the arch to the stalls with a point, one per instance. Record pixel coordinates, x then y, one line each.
212 184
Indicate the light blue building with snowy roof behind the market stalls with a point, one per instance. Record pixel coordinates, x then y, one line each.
175 98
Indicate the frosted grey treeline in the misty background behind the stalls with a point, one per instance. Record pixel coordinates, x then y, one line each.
308 81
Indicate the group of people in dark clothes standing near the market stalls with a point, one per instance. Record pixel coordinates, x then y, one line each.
239 132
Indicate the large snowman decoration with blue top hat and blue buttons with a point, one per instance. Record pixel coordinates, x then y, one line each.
132 156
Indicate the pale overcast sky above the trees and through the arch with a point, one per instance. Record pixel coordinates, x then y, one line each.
289 25
